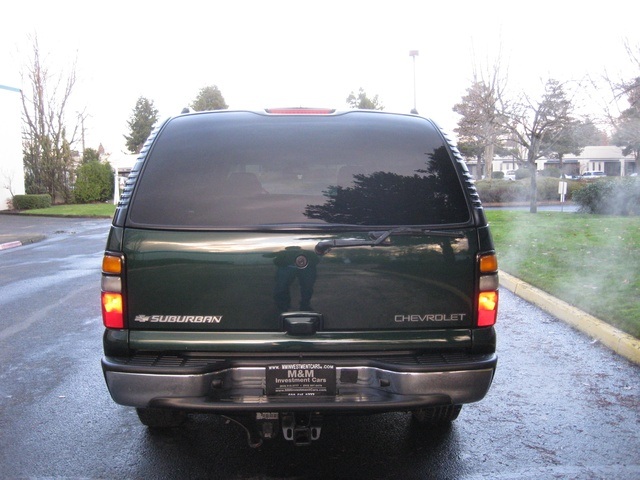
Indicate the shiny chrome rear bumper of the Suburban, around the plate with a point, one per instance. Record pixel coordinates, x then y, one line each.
362 385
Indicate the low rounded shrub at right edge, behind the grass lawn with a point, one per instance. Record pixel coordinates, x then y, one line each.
620 196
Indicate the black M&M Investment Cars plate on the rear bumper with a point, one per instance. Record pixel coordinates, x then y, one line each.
301 380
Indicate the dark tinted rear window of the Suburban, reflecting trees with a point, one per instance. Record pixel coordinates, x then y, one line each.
232 169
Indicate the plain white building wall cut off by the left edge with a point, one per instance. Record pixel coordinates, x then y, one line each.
11 166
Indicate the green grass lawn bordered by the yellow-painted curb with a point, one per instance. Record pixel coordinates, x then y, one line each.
589 261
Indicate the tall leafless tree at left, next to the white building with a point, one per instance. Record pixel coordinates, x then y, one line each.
46 143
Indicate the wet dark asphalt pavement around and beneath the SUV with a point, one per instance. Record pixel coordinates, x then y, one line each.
561 406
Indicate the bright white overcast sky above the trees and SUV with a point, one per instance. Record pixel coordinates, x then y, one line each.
302 53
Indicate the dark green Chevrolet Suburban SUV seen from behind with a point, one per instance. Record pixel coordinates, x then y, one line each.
278 266
